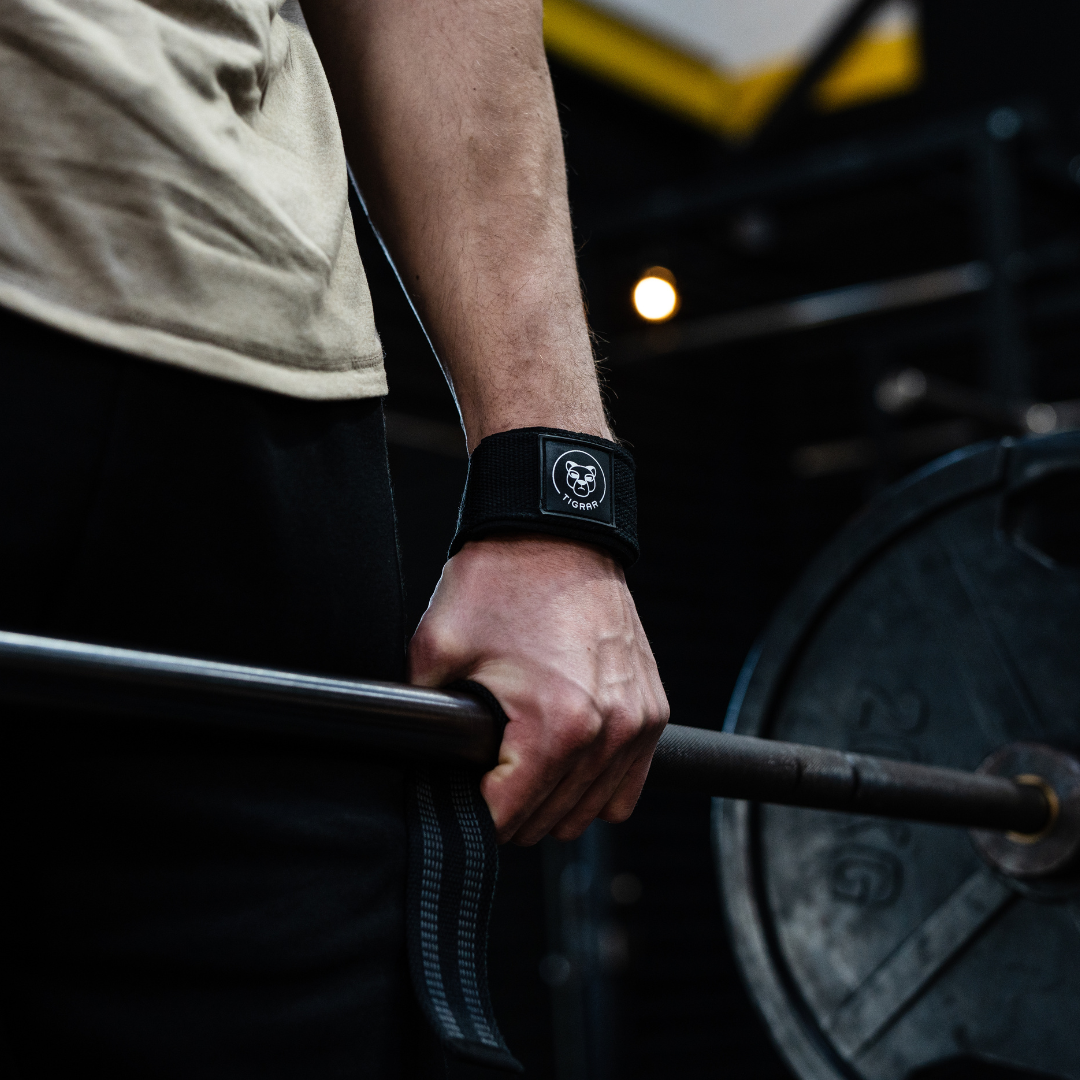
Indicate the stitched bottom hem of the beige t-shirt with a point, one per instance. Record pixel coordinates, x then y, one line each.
363 377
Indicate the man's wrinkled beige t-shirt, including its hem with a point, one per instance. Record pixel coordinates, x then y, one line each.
173 184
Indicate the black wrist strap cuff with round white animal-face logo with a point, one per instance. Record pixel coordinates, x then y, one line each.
560 483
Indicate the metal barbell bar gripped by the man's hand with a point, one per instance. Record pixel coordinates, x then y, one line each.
439 724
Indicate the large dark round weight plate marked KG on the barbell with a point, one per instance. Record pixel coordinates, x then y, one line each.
940 626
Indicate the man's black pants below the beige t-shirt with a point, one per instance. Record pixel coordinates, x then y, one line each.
212 909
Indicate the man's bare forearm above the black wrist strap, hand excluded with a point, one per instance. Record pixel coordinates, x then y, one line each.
451 126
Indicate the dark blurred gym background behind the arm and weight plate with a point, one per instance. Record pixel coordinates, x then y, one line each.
755 443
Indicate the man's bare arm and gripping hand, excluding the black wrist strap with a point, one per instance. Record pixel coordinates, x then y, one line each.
451 126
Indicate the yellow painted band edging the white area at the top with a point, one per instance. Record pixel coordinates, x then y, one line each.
734 107
